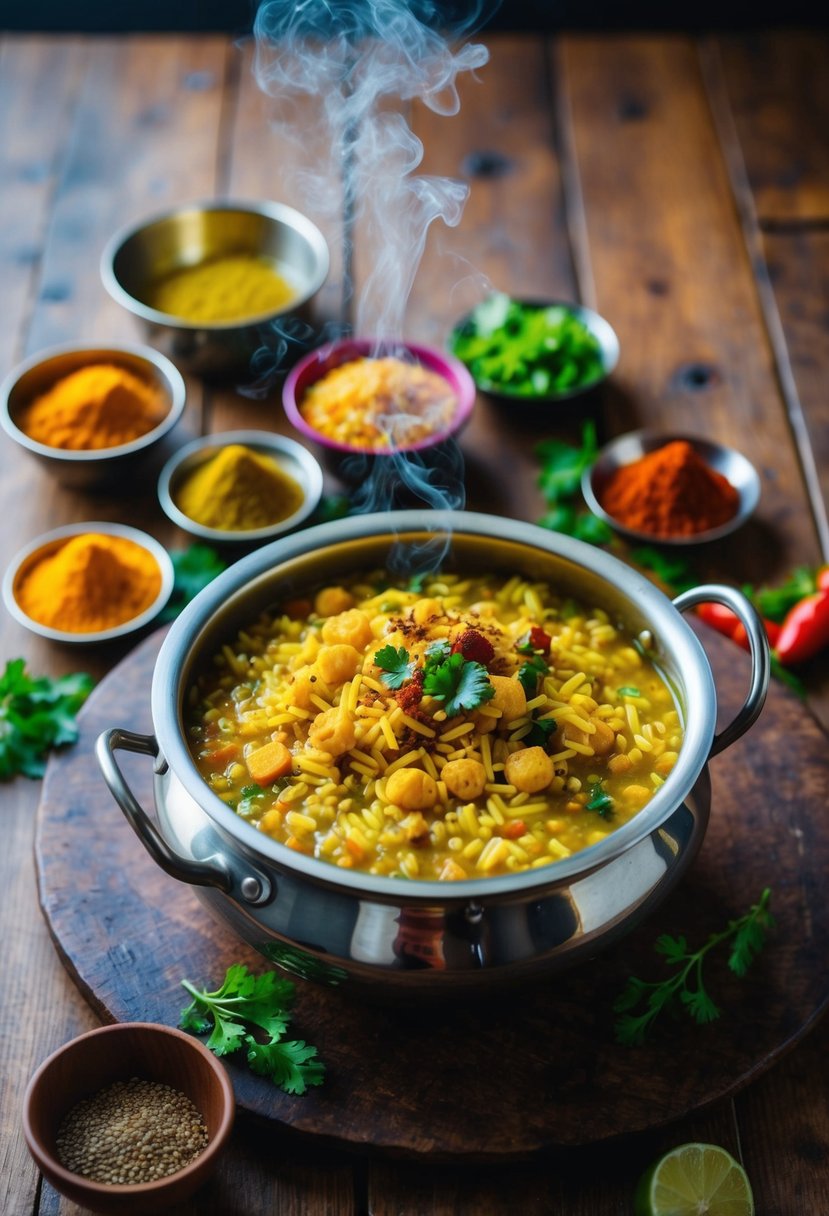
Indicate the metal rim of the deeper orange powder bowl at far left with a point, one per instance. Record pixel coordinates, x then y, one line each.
174 385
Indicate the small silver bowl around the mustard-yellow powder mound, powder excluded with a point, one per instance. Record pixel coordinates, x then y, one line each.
292 459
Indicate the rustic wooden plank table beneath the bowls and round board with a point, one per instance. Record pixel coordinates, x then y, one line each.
679 185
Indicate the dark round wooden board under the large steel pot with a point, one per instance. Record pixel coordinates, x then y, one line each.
473 1080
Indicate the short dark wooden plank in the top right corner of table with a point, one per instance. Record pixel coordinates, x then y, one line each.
780 94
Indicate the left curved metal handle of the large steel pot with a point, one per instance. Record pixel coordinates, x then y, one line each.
212 872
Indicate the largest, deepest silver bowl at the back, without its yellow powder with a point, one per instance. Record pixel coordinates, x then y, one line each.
138 257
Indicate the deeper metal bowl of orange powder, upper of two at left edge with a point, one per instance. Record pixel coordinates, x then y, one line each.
94 416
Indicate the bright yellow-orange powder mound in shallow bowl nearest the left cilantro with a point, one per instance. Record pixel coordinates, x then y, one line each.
92 583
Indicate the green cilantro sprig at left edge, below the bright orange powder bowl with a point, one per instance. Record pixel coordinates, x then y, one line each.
36 716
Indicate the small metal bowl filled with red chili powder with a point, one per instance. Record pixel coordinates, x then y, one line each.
672 489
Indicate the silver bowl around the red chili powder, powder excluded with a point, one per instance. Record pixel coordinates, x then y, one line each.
627 449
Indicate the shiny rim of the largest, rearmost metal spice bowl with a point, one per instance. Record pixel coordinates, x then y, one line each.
270 210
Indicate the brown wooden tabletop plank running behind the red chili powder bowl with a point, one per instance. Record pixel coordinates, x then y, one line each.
673 275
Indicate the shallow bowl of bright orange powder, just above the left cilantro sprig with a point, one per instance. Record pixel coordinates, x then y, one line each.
88 583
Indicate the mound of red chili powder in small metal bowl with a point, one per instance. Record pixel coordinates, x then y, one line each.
670 493
